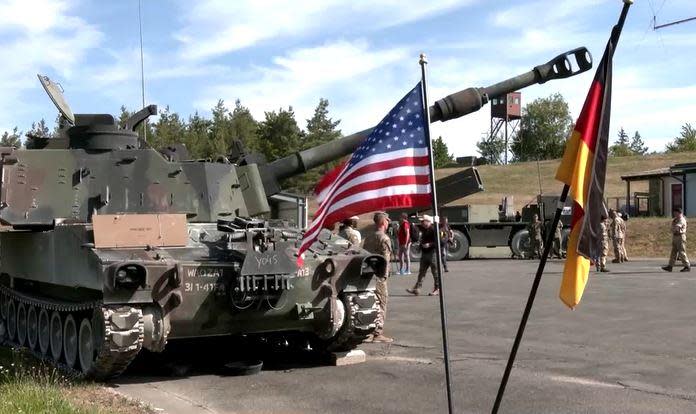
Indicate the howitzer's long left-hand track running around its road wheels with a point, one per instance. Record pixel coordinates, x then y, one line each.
120 341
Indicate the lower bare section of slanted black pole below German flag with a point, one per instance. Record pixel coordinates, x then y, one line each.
530 300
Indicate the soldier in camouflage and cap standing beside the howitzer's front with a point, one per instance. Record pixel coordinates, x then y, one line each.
379 243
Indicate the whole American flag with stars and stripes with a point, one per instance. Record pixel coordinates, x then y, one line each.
390 169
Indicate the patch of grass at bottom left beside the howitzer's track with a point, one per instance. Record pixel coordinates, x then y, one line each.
30 386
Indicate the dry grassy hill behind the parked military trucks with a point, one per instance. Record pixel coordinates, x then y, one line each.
522 180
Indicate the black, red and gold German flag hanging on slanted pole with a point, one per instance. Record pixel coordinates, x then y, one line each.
583 168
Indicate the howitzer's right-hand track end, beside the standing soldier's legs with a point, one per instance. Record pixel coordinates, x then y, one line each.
362 309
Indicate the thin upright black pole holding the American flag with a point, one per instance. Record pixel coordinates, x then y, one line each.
433 193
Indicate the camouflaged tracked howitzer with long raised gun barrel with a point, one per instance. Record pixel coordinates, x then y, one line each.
109 246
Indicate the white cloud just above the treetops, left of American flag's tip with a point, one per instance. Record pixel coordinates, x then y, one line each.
300 77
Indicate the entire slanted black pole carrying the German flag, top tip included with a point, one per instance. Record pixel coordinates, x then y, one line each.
616 30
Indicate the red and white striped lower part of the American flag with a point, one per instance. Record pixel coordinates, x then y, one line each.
396 179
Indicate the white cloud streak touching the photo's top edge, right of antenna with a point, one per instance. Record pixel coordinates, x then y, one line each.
216 27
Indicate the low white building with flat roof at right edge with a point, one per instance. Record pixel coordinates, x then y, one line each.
668 188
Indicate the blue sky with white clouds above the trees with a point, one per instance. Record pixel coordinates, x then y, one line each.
360 55
